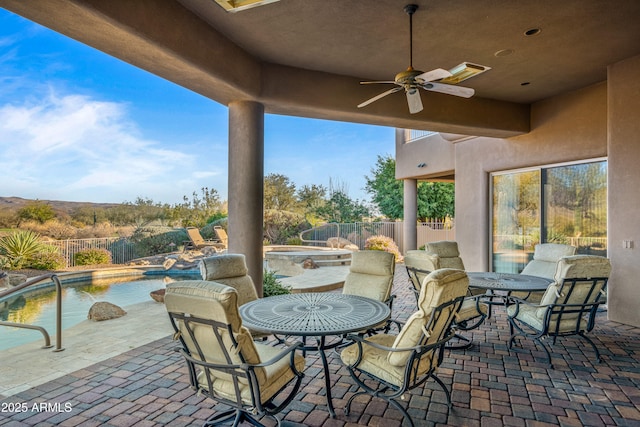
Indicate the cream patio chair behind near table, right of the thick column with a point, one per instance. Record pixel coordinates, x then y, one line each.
371 275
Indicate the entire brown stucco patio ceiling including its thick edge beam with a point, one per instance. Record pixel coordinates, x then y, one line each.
307 57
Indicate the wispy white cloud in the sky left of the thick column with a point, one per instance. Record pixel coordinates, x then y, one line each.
72 147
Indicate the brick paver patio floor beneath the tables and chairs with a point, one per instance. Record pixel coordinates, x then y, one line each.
491 387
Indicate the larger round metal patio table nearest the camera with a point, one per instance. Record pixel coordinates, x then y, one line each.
315 314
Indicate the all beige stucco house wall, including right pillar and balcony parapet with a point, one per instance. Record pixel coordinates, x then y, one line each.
599 121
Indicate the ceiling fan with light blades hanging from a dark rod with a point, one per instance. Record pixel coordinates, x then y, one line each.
438 80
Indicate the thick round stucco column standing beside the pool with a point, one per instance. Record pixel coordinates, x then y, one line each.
246 191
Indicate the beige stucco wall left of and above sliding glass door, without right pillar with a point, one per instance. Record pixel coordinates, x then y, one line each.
567 128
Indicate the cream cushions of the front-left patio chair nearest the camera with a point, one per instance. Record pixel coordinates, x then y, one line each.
216 301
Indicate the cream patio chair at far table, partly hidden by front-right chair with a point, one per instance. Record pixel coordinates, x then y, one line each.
473 311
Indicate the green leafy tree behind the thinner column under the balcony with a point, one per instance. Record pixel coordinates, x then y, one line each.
435 199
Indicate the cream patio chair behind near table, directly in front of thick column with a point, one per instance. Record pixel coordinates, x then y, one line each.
231 270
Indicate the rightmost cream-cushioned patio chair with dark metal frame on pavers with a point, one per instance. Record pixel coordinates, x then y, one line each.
568 307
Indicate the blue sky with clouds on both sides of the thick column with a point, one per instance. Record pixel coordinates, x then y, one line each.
79 125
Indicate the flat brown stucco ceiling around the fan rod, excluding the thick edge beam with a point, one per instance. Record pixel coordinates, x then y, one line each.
370 39
